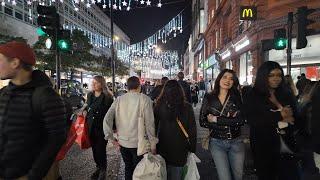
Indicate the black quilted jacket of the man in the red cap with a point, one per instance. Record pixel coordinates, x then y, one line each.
29 145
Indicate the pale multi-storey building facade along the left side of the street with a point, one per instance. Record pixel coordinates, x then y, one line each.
21 20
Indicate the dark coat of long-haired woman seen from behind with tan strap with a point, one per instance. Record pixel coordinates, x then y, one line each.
173 145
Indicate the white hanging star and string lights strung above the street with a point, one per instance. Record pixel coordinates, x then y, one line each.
144 55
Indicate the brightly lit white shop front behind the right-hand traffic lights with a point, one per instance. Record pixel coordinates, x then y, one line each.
306 60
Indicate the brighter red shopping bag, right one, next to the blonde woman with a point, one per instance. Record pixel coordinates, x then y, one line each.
82 132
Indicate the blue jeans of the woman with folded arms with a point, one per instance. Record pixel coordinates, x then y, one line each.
228 156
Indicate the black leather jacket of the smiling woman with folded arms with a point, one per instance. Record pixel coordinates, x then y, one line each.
227 126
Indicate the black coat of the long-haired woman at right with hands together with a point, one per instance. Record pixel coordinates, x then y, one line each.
264 139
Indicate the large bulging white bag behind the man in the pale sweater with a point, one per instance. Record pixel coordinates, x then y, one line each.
151 167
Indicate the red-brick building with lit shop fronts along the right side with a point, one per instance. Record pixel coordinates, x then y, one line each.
231 43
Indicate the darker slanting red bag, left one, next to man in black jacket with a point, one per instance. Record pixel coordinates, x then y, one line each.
72 135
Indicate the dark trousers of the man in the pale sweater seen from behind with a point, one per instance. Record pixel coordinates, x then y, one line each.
130 158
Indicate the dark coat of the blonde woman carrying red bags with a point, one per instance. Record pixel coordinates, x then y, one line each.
97 108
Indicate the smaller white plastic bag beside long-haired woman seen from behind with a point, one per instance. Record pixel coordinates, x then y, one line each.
192 172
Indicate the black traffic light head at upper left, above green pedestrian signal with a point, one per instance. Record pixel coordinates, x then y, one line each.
48 20
